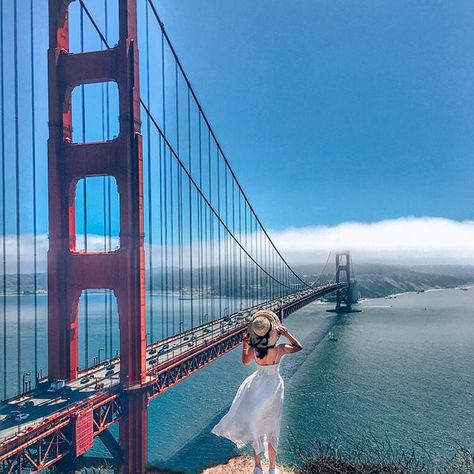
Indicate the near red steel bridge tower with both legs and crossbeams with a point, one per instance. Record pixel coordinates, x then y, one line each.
69 271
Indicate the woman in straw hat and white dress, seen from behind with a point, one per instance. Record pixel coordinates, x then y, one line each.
256 410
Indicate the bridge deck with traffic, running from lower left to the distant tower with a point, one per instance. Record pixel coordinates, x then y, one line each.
101 385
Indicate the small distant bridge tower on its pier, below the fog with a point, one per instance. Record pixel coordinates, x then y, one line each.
349 294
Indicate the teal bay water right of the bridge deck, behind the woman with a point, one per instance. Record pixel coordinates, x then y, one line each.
401 370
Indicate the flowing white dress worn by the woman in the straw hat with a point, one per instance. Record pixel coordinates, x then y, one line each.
255 413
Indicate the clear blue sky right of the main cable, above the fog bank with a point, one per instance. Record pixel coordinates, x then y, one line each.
335 111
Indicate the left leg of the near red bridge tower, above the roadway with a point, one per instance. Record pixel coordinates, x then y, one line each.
62 314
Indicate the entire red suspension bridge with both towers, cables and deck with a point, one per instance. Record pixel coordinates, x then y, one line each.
156 258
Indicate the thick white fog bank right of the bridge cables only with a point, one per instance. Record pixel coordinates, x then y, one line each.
405 240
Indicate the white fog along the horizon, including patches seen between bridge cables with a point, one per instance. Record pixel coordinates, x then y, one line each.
406 240
